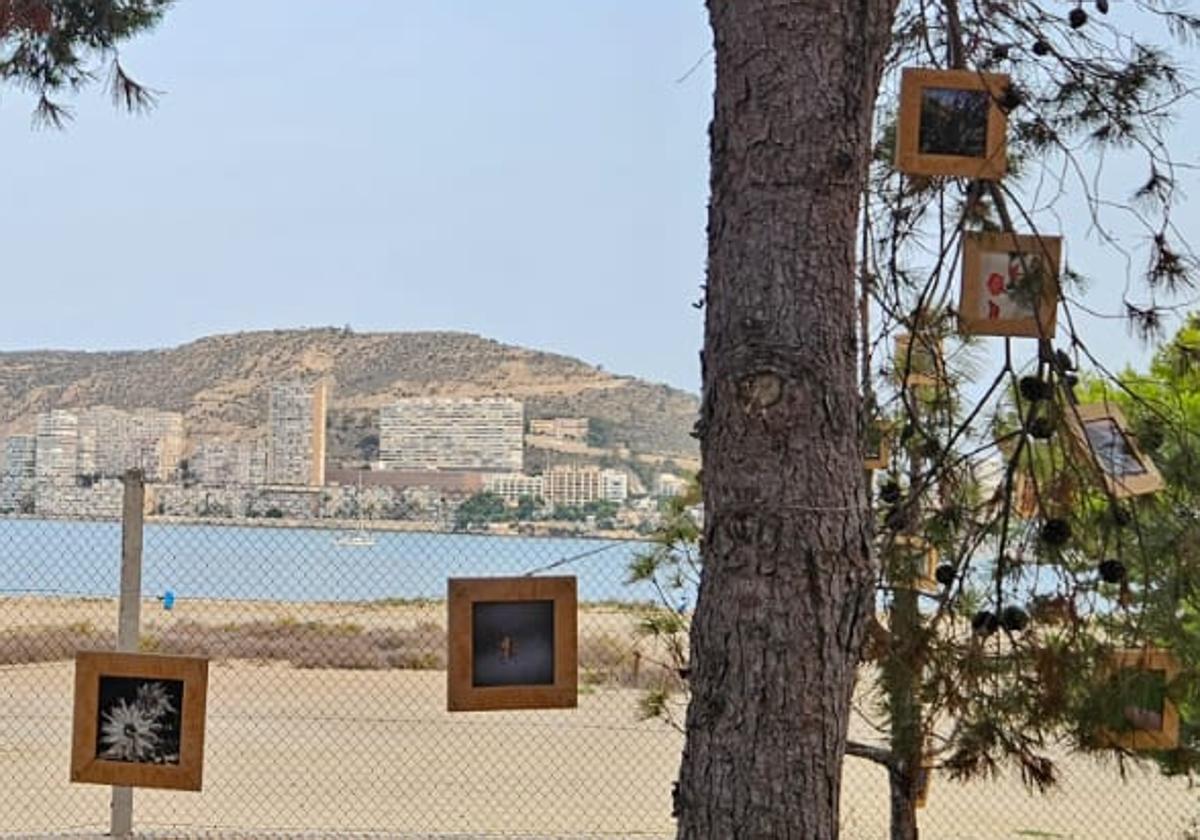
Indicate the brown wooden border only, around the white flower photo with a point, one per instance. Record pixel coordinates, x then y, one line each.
193 671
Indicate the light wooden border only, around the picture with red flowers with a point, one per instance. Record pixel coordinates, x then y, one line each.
975 247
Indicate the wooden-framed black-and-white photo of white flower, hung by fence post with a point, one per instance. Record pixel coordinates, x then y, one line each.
140 721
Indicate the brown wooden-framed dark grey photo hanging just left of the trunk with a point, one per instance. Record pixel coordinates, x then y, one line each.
513 644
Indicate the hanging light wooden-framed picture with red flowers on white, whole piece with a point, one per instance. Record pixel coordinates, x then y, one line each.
1010 285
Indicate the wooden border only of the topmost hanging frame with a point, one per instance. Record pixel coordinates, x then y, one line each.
909 158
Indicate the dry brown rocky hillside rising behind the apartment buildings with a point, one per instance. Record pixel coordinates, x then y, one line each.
220 385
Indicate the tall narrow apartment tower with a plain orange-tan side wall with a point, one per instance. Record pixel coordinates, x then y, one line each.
296 434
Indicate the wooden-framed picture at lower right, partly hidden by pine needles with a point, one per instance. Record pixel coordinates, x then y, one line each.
1151 722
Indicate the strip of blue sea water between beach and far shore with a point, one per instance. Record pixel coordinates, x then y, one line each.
73 559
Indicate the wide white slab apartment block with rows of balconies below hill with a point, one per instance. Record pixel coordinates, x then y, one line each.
453 434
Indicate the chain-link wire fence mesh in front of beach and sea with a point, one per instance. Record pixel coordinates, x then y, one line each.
327 710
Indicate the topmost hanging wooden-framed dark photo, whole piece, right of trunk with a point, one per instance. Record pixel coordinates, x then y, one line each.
951 124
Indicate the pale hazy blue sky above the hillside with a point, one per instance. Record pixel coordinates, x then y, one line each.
533 171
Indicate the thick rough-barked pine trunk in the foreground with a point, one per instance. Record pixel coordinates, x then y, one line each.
788 581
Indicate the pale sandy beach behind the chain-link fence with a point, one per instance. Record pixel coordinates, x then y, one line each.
323 751
